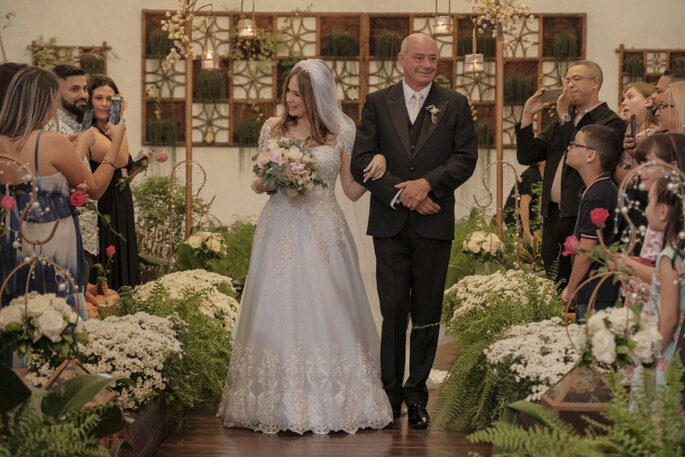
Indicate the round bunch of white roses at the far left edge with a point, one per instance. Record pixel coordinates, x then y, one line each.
46 323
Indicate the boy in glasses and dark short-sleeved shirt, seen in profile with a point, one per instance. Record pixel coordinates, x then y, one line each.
594 154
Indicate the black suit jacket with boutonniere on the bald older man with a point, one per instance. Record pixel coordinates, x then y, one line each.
445 154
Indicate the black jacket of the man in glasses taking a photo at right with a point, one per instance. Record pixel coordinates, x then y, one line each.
551 146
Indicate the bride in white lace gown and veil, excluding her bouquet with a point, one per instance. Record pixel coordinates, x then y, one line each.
305 350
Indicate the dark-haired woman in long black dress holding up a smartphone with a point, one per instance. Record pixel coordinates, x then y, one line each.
117 201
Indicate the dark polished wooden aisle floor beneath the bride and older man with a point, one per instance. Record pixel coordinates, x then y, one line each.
204 436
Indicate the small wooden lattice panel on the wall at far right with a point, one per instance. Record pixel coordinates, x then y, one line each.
652 61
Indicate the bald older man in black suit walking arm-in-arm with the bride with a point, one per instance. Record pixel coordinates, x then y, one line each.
426 134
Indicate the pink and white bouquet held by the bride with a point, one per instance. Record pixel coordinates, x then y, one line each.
286 163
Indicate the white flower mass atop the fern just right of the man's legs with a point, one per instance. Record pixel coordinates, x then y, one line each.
472 292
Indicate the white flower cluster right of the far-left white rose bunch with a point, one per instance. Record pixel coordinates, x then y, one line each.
135 346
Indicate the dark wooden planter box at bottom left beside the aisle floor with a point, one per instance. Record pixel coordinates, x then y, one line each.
151 426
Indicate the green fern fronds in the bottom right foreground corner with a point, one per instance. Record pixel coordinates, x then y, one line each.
644 422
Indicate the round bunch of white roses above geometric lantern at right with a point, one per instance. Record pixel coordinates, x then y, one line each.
620 337
